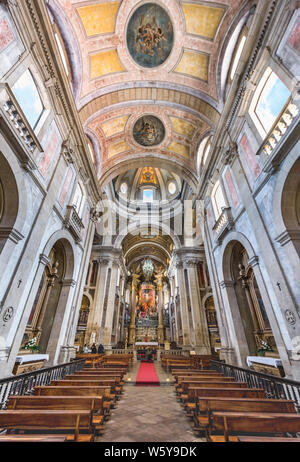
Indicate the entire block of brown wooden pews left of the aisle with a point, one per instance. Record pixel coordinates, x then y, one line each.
74 409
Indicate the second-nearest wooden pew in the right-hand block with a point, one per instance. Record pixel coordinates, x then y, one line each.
214 404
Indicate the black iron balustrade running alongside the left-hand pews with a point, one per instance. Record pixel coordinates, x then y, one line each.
24 384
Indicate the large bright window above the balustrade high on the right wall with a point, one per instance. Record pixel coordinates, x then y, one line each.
270 98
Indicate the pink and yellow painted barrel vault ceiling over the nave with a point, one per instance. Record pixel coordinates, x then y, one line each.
113 90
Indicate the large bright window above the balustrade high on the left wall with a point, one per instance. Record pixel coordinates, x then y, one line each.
27 94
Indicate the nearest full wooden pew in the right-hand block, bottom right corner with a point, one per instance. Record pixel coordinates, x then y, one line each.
230 423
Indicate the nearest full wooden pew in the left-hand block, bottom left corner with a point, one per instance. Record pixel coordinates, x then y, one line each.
77 422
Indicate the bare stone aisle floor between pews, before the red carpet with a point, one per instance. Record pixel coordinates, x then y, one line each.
149 414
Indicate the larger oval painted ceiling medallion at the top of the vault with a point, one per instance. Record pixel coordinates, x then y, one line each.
150 35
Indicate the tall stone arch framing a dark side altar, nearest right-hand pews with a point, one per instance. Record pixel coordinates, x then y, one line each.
249 322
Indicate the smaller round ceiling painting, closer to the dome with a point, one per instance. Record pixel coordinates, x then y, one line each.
149 131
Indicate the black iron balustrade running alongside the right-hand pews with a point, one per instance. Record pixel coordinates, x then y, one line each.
275 387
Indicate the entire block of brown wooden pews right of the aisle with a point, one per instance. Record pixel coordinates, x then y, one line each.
225 410
